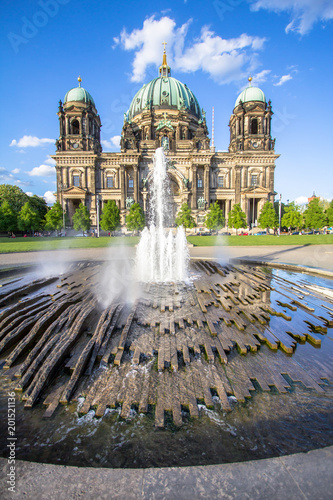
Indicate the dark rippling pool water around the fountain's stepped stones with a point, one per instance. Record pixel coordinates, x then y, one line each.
267 425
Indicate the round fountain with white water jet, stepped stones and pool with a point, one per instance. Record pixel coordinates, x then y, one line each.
245 348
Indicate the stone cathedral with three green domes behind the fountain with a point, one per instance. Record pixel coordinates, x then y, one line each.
165 112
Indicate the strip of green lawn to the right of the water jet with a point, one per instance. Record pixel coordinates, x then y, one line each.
311 239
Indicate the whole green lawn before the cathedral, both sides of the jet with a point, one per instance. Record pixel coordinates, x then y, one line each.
19 244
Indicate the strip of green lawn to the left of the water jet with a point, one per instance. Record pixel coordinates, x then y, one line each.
20 244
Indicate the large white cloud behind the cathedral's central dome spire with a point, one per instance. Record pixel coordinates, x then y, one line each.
223 59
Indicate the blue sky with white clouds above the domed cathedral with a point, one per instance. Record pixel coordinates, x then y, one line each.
286 45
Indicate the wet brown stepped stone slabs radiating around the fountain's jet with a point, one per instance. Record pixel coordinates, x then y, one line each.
173 346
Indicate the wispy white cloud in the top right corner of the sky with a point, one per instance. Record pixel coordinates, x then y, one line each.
304 13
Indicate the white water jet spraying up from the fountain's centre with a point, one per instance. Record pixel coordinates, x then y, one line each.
161 256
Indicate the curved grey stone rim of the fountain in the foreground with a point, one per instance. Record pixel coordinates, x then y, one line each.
299 476
